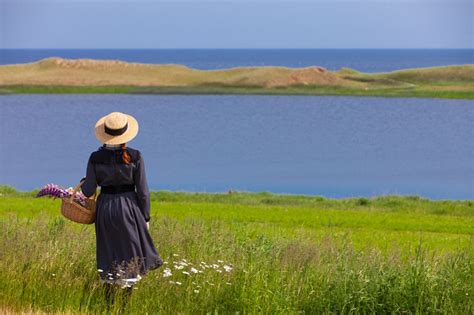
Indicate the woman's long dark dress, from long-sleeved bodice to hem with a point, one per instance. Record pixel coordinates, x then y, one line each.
124 247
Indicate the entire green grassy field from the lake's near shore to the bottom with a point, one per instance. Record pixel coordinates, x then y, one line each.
289 255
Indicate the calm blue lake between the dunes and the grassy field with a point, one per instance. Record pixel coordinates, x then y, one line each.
330 146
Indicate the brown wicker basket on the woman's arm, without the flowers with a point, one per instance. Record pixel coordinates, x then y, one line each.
76 212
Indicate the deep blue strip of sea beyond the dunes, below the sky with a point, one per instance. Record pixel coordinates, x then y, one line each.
366 60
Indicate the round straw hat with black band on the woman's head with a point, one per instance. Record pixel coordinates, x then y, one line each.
116 128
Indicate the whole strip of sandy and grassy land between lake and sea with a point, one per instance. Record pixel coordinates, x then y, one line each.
89 76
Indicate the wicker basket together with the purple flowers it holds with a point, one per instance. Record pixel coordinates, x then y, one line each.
74 205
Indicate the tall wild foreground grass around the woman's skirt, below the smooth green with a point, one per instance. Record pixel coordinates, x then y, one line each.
48 264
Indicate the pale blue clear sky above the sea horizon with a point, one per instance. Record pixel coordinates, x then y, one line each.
236 24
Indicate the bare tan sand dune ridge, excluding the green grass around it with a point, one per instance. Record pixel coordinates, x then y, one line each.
59 71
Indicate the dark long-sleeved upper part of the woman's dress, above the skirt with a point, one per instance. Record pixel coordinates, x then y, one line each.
106 168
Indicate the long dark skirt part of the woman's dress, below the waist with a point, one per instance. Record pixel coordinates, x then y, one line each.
124 247
